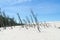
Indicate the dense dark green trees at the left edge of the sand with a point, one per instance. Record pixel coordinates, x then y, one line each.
6 21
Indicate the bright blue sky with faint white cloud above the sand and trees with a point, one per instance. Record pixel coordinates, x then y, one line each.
45 10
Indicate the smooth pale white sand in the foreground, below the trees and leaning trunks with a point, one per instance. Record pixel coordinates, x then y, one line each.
18 33
